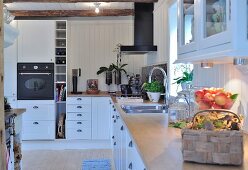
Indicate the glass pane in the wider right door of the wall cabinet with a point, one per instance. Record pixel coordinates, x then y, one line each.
215 21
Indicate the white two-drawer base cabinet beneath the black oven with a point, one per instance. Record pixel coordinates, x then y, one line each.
38 122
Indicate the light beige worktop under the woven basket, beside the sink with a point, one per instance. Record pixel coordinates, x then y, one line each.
160 146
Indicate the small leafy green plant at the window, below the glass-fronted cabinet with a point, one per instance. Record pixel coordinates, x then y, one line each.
185 80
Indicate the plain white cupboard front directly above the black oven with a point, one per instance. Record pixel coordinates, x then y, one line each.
36 41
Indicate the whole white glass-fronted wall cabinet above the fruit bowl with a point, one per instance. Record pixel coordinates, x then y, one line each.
213 30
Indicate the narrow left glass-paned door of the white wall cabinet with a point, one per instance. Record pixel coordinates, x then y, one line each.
187 26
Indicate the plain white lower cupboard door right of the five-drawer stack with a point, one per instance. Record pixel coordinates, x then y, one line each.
100 118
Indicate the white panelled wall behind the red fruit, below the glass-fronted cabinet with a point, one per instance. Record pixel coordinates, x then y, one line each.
229 77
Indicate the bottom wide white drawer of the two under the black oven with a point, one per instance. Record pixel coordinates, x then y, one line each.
38 130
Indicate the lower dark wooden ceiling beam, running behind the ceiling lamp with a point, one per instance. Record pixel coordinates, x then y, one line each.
72 13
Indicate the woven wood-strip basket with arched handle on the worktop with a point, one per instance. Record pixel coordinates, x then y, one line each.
213 147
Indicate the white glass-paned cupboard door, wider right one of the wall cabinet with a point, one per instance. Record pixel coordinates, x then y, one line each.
215 22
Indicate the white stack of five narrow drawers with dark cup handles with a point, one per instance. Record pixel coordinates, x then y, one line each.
78 118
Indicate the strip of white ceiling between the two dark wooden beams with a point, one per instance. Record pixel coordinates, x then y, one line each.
68 6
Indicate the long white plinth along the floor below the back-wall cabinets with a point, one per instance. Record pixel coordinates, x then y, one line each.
62 144
